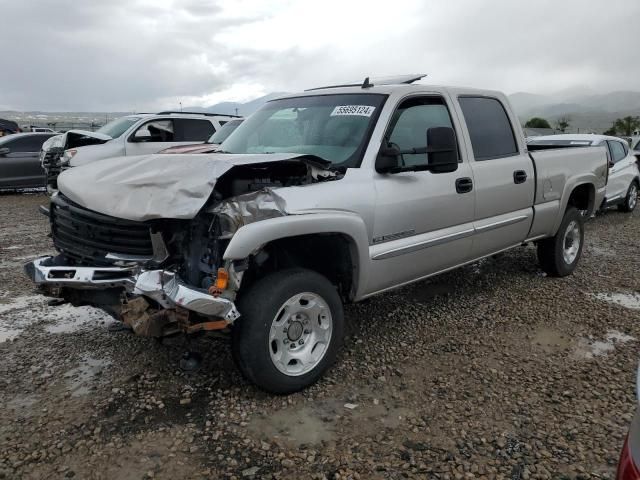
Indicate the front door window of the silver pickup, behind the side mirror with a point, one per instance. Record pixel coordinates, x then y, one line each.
410 122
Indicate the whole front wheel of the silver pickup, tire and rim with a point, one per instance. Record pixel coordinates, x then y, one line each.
290 330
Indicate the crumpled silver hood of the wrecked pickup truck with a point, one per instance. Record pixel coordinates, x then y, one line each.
154 186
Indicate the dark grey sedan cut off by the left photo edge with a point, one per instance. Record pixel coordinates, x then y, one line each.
19 160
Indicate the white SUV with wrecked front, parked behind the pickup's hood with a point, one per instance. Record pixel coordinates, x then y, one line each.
127 136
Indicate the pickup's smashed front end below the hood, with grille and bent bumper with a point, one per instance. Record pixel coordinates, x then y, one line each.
164 276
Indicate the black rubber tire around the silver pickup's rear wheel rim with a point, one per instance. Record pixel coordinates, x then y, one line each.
551 250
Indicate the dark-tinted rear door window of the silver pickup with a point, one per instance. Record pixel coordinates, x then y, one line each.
489 128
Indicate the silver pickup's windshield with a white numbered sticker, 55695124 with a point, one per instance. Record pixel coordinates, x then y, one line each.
333 127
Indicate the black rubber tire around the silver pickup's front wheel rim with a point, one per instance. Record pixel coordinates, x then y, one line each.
259 306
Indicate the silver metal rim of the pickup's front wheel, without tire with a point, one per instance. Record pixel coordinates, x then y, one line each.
300 334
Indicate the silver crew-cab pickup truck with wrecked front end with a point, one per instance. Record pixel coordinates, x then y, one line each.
328 196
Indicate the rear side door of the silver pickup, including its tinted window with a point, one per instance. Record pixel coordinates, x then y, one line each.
503 174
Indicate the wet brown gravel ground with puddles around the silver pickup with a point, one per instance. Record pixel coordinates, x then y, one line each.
491 371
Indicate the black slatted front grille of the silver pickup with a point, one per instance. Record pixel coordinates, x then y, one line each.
88 236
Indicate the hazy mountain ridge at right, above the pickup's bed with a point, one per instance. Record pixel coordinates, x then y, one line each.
588 111
